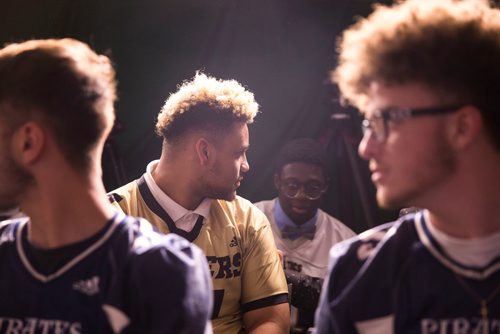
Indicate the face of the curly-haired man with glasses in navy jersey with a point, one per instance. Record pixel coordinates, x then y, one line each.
411 167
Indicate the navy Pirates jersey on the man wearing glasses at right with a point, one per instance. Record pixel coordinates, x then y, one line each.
397 279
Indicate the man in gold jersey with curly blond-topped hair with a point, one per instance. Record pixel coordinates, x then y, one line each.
191 191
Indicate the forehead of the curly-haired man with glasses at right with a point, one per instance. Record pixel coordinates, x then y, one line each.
407 95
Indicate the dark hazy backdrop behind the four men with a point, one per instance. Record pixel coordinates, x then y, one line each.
281 50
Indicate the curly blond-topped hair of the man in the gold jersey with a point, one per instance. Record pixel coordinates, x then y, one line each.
205 103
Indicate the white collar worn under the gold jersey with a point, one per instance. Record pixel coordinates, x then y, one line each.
183 218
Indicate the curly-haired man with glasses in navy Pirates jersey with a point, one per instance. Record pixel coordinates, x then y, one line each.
426 77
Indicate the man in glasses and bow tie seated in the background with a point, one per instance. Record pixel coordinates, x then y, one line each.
302 231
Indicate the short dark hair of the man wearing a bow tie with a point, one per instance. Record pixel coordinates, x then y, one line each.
305 150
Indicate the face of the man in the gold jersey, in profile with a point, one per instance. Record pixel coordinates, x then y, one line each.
230 163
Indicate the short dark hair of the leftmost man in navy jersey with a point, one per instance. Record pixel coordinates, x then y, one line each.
66 85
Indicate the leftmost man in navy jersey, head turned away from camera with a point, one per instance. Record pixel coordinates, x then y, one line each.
76 265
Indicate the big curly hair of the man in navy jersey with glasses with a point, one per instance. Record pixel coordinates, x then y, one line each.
450 46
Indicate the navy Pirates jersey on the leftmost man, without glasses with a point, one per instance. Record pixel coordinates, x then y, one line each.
130 280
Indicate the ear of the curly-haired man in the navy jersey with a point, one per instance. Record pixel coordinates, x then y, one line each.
465 127
